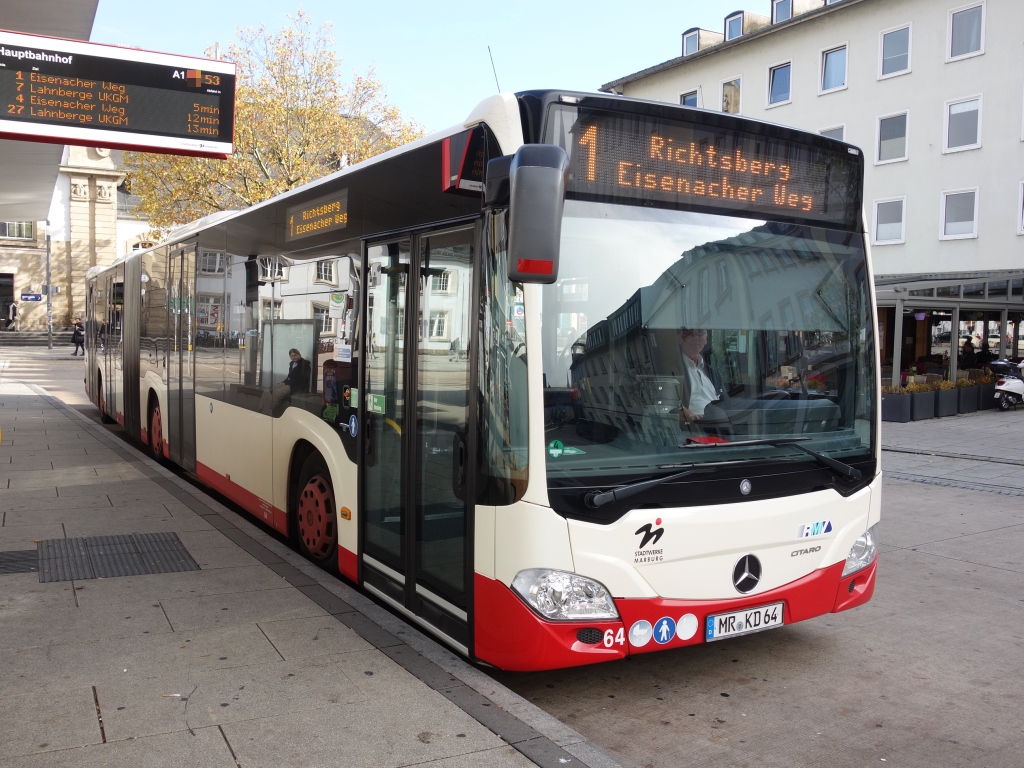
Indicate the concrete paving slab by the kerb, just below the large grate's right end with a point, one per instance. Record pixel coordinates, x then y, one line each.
224 611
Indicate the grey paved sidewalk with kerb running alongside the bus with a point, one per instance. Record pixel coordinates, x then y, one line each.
257 658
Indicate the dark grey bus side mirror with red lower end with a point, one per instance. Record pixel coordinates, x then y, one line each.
538 178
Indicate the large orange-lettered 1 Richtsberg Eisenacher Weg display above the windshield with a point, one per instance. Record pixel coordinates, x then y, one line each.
639 157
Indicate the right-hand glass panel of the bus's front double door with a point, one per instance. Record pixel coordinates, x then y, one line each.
443 375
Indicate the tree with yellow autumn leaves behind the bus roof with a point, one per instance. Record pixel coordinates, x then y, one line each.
295 121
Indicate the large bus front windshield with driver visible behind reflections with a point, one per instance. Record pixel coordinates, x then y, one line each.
669 330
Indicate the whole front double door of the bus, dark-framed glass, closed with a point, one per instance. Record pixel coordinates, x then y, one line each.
416 537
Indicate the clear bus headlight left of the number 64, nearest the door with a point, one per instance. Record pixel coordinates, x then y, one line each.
560 595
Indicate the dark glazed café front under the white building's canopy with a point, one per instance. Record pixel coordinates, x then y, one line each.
948 328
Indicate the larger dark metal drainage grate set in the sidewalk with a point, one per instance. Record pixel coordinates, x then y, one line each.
109 557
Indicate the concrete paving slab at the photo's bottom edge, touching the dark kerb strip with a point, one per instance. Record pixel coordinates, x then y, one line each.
370 734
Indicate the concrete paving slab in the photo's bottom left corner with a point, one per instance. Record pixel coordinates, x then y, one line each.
31 724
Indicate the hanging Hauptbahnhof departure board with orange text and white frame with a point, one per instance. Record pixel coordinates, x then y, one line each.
68 92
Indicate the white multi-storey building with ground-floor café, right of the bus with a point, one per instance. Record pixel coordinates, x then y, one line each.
933 93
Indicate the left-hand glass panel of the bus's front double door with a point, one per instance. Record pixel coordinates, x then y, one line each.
389 267
